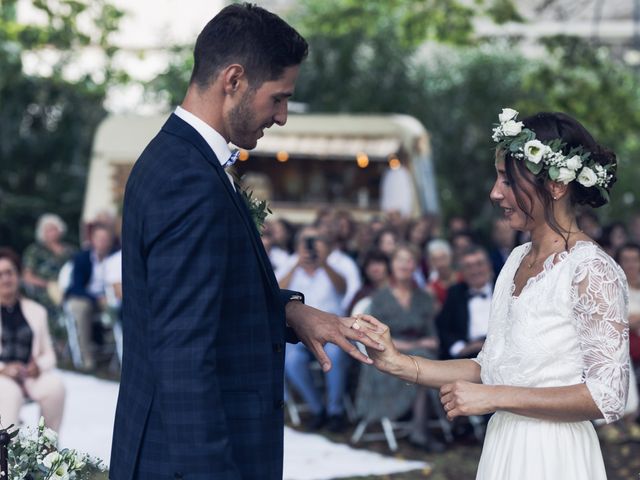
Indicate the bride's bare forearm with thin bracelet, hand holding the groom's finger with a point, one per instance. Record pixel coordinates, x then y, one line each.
411 368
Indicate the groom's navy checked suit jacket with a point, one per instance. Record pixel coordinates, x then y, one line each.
201 393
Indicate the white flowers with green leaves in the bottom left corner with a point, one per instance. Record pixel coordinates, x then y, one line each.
32 455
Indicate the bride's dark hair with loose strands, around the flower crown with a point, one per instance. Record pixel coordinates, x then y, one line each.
547 127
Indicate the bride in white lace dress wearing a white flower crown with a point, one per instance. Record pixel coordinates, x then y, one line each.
556 354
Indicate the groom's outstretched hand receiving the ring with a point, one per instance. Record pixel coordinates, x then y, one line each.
315 328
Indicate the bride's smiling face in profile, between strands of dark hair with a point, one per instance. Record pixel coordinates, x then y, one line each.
502 194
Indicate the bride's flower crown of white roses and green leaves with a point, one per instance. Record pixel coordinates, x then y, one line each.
512 136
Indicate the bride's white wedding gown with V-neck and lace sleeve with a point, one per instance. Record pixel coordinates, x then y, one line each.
567 326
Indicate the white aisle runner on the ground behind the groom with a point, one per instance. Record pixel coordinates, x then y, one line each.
88 422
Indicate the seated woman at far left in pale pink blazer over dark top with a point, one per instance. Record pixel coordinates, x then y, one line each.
27 358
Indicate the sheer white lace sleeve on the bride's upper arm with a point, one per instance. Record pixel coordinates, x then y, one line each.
600 301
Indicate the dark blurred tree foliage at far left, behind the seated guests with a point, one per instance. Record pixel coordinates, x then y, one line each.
47 121
